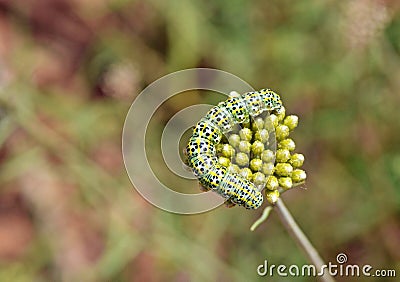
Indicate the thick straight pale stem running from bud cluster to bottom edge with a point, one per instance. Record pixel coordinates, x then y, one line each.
301 239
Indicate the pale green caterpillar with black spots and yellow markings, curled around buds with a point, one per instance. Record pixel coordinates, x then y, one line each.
208 132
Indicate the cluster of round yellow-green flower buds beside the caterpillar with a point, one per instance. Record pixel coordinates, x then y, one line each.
262 152
